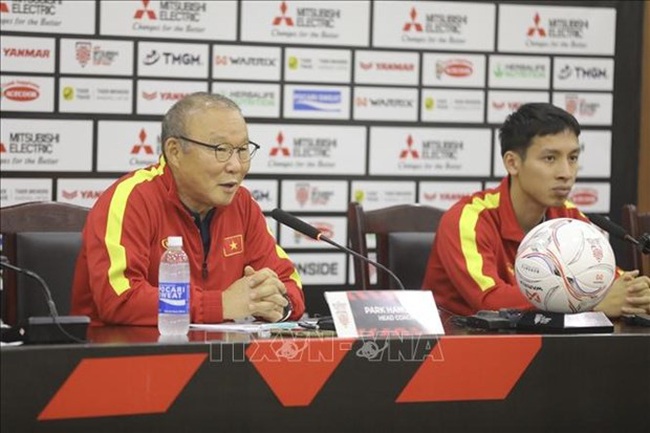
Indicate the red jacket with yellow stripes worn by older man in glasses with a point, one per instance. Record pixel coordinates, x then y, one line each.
116 277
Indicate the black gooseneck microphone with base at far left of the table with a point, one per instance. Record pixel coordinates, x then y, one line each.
42 334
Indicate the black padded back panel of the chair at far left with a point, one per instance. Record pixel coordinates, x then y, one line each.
52 256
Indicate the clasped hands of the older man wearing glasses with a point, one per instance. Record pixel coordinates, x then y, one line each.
257 293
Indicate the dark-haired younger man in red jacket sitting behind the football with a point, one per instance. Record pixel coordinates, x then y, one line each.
471 262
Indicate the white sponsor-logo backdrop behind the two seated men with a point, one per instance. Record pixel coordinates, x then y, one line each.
382 102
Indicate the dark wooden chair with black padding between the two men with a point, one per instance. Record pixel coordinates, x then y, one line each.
404 236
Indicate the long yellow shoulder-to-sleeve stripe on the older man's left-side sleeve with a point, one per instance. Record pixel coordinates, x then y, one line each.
114 225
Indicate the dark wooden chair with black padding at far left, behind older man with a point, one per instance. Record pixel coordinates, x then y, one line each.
44 237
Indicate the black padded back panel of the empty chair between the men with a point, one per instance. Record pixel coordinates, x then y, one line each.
408 254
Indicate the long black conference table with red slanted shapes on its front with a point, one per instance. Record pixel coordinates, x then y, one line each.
127 380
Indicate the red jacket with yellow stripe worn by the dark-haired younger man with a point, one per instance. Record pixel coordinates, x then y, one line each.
471 266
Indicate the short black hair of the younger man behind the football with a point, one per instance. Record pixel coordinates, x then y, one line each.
532 120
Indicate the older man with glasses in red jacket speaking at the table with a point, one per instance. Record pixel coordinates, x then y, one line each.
237 270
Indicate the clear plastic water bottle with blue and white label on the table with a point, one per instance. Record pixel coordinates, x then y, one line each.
174 289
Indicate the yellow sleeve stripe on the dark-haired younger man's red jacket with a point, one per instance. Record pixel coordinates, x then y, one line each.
467 228
